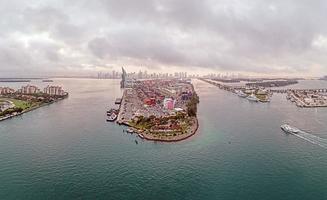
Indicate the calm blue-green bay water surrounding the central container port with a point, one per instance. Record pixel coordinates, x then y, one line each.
68 151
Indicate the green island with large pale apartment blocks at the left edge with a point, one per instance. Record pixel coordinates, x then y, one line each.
27 98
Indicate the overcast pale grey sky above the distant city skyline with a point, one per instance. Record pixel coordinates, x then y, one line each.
281 37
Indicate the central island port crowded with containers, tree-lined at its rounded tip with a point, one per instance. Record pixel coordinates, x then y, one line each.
160 109
